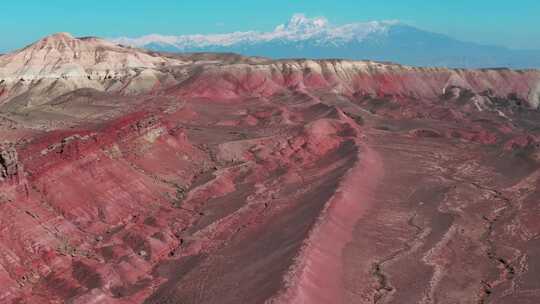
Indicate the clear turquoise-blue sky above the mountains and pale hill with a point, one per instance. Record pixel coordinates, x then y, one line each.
513 24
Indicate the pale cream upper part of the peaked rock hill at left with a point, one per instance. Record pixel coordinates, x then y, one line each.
62 55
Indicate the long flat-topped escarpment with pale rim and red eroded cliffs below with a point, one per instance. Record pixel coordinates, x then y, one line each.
356 77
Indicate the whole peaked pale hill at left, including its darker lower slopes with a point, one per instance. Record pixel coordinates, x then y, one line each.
61 63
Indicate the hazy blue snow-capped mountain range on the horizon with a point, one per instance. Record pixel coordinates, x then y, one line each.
304 37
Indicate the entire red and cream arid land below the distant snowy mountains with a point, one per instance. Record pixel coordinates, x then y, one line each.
129 176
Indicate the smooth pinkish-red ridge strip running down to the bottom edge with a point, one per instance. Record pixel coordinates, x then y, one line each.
323 250
